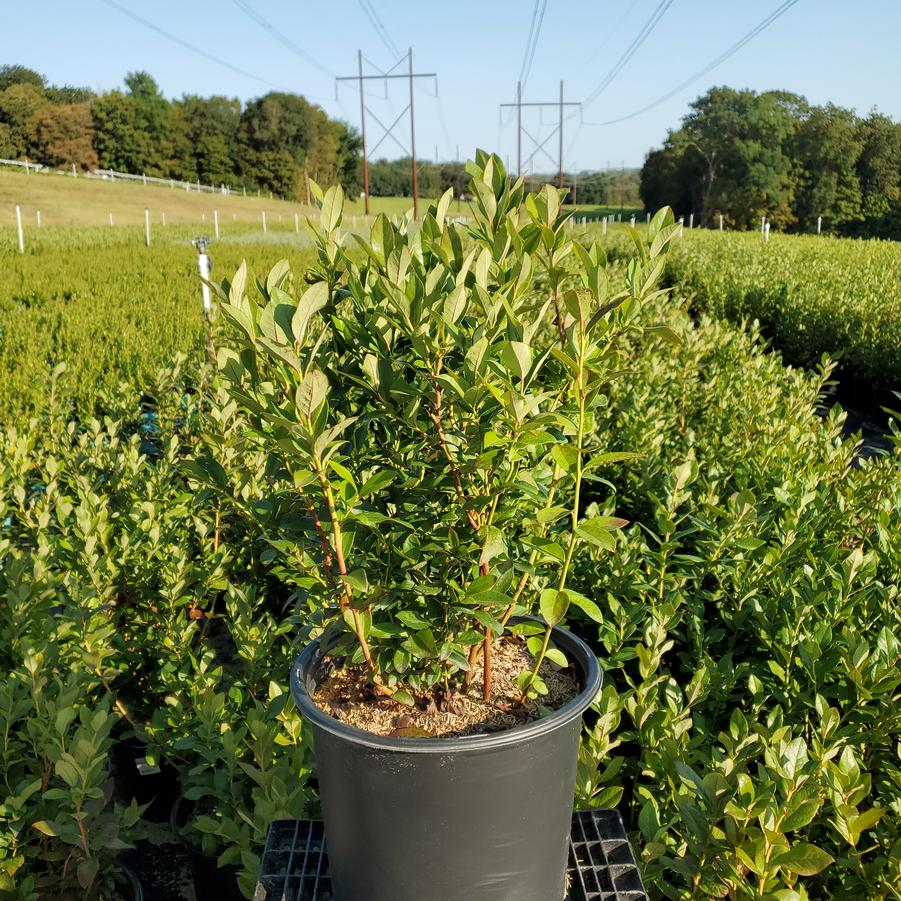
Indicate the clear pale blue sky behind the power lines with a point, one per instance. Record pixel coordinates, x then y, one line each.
827 50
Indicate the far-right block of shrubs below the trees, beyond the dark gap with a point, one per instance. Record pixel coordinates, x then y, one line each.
812 296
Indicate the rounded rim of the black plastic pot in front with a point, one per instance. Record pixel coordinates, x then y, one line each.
576 650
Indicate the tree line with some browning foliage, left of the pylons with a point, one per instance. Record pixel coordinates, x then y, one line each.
270 143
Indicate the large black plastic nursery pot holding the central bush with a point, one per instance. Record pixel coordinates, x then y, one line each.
474 818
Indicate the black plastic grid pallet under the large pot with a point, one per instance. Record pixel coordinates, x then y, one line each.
601 866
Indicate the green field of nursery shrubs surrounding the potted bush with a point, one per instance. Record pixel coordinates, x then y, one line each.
152 593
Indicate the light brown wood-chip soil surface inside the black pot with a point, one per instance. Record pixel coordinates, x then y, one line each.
347 695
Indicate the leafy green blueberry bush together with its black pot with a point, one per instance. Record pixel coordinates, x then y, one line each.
427 396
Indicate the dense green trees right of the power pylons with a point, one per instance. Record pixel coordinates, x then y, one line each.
743 155
